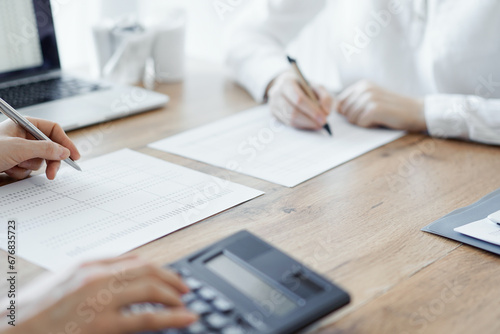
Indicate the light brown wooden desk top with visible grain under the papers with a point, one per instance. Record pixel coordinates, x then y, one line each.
358 224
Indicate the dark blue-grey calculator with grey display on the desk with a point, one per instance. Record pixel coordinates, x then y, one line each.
243 285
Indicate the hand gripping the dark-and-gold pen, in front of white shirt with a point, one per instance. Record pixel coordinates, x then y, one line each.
291 105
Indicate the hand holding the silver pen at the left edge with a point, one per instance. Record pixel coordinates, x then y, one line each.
20 154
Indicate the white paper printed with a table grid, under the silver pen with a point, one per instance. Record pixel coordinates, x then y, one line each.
119 202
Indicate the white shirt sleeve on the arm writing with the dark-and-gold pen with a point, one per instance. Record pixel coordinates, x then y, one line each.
256 44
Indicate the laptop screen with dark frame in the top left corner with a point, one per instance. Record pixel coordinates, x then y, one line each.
27 39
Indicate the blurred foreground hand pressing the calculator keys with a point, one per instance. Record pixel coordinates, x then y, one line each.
96 299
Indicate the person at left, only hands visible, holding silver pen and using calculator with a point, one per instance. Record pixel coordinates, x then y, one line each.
92 298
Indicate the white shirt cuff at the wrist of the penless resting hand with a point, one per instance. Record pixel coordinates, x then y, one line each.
446 116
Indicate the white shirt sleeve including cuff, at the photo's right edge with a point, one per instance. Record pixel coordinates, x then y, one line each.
463 116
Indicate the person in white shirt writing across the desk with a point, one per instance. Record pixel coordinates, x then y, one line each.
421 65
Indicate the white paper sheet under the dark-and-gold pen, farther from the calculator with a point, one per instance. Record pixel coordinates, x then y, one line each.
254 143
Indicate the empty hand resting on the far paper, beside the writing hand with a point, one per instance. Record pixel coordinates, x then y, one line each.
368 105
